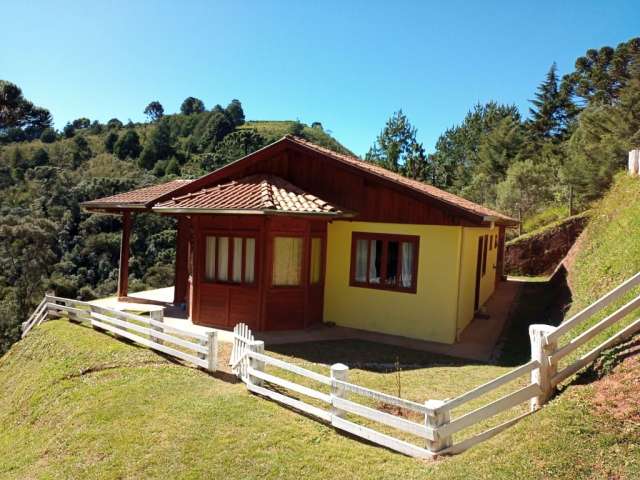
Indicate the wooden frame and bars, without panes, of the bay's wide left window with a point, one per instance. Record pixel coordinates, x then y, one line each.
231 251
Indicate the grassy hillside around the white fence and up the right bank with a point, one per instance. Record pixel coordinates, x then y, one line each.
77 403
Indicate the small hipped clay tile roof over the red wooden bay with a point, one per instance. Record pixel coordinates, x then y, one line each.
260 193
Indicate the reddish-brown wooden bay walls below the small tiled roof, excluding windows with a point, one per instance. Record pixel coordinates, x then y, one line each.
261 306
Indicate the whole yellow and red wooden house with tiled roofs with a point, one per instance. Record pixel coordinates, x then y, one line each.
295 234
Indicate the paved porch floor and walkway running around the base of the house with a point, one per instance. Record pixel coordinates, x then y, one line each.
477 341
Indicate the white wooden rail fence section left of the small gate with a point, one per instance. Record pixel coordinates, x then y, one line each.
196 348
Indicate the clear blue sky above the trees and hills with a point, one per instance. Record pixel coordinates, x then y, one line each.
349 65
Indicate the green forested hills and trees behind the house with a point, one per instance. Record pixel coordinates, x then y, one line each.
541 165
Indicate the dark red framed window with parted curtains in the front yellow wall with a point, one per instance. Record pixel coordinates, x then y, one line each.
384 261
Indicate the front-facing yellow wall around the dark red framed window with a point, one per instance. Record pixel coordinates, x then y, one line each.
429 314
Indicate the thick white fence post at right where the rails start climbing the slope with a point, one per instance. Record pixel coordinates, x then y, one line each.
541 350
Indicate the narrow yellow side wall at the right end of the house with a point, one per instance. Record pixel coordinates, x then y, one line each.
468 255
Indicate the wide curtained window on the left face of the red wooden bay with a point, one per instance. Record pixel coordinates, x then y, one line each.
230 259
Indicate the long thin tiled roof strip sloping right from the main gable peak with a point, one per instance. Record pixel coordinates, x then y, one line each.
420 187
